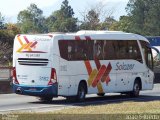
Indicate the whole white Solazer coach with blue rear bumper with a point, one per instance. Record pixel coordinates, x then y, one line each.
86 62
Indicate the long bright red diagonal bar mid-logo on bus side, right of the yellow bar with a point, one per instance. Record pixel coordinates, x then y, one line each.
99 75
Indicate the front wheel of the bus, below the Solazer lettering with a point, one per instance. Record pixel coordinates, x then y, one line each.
136 89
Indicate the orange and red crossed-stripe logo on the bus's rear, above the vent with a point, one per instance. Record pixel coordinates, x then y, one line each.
27 46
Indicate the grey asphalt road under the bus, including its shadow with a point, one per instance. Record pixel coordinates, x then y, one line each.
14 103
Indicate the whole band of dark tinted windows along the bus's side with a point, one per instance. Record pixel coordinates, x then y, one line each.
100 49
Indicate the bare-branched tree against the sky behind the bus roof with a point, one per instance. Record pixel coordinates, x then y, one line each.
97 18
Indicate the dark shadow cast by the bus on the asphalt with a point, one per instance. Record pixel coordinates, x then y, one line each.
102 100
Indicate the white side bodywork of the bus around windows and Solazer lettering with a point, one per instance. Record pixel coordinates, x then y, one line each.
121 80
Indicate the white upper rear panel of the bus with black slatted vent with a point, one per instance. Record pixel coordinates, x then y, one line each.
26 48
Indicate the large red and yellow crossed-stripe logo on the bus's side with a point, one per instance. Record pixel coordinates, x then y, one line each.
99 75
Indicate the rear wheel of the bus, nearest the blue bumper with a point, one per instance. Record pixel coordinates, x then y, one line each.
81 94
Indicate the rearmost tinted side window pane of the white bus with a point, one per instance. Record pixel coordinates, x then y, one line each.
76 50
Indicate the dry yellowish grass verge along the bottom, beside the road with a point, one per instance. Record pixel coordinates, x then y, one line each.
118 111
